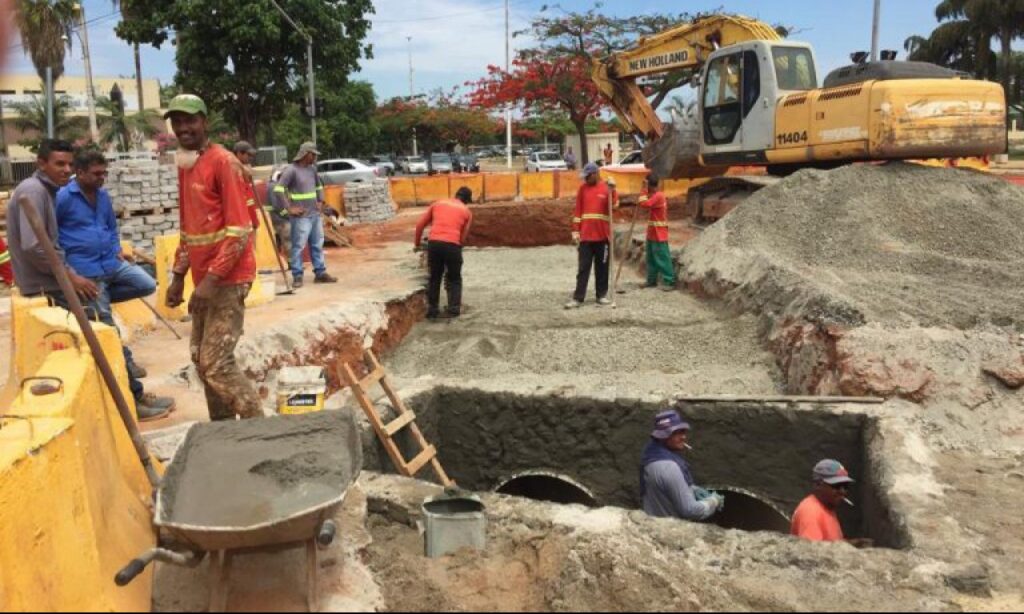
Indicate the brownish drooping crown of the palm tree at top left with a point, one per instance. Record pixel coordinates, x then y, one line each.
46 28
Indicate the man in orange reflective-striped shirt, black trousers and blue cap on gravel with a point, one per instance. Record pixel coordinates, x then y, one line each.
592 236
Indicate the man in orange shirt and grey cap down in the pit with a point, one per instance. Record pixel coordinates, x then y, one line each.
816 518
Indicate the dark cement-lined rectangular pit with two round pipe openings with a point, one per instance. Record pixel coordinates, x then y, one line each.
576 451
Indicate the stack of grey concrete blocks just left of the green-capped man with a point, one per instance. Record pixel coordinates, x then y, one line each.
146 200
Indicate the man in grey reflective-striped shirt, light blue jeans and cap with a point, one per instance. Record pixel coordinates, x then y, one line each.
301 189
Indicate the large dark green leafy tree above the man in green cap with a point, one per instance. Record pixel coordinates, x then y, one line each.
242 57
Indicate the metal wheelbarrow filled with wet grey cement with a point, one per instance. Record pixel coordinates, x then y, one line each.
248 511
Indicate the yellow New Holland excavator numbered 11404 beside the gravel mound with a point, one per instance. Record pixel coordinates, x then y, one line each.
760 106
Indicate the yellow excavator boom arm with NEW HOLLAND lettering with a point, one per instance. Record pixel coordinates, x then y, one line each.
685 48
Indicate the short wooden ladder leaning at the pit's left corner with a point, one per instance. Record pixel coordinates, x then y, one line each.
387 433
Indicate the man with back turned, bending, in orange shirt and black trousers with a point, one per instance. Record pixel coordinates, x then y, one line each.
450 222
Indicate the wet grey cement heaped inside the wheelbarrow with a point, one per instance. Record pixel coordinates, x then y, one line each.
246 473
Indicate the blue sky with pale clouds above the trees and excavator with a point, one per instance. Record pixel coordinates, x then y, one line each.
455 40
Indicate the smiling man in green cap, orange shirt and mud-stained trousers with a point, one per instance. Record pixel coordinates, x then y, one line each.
217 247
